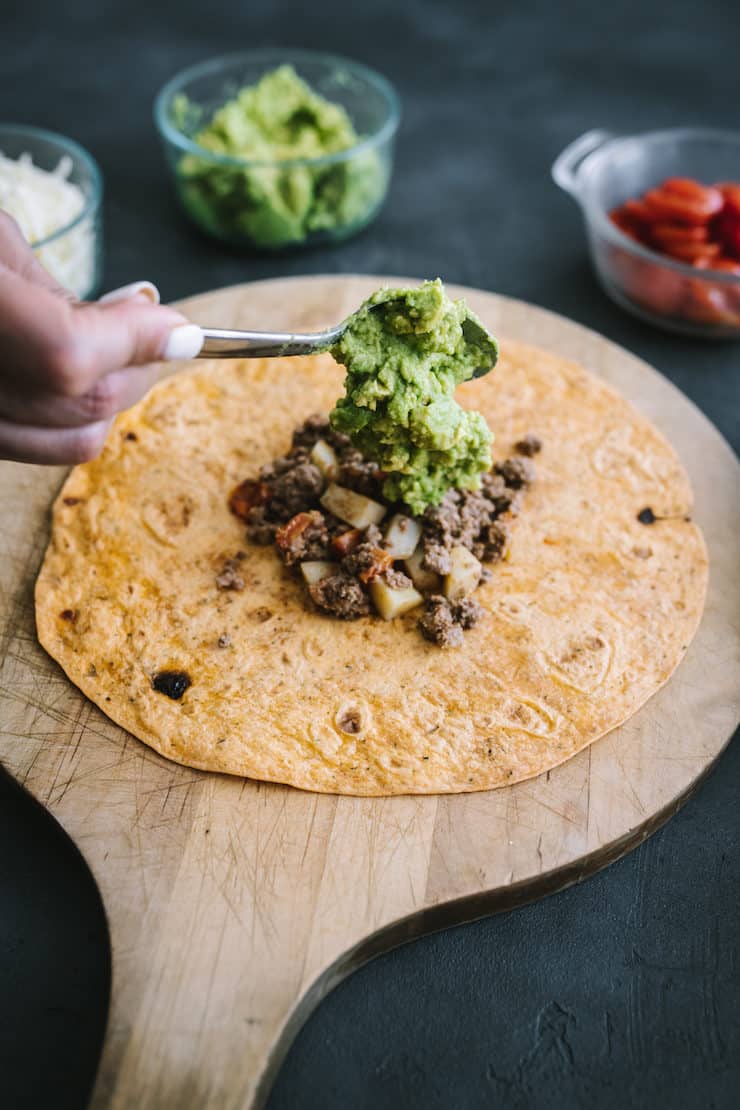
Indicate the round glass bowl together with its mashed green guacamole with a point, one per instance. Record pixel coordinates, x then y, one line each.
279 149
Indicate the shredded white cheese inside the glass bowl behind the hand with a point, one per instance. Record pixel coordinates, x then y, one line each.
44 203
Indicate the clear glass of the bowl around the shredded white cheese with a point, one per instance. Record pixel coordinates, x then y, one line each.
73 254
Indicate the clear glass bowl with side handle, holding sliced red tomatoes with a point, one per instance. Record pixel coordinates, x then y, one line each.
602 171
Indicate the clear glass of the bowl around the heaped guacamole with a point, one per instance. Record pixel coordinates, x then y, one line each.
279 205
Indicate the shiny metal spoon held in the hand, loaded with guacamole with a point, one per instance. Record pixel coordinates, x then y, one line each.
222 344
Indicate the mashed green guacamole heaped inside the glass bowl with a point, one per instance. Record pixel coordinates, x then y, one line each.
280 119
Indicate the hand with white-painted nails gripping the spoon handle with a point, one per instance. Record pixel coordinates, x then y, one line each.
67 367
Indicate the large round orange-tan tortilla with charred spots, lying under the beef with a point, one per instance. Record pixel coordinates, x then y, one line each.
586 620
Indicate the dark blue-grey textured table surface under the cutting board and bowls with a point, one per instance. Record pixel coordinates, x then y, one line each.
623 992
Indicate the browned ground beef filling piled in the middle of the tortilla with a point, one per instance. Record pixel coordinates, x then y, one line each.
349 566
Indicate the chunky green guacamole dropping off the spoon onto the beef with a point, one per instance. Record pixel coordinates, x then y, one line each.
406 351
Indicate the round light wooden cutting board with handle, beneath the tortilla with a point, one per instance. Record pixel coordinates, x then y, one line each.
235 907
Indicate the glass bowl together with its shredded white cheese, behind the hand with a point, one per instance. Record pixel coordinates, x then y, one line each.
54 189
